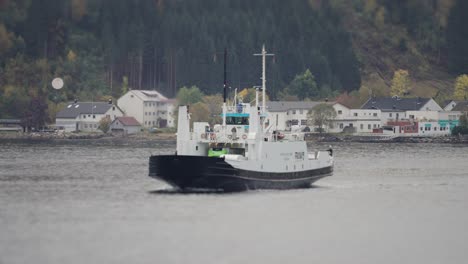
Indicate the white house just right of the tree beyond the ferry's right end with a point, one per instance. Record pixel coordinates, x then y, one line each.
355 120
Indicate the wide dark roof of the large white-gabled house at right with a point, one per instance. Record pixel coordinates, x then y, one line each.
396 103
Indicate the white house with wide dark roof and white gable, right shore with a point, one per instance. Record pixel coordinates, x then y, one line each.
396 108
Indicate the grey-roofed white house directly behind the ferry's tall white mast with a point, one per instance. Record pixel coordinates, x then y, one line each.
283 115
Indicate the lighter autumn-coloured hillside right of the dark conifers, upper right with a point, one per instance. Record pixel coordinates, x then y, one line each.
426 38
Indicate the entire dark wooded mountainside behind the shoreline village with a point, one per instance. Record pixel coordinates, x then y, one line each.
103 47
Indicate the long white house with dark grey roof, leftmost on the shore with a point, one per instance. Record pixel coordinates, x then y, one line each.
85 116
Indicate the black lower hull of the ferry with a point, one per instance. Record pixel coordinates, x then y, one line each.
198 172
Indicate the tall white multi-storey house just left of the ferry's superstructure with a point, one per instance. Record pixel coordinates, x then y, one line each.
149 108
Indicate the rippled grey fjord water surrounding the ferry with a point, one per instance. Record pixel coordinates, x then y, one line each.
92 202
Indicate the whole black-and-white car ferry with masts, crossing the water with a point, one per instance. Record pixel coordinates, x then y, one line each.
242 153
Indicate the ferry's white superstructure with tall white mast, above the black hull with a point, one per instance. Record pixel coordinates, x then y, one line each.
247 141
